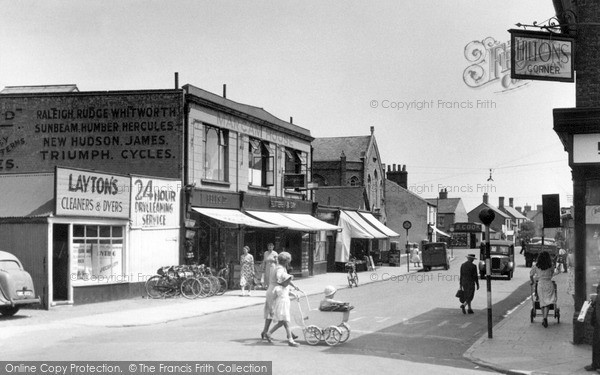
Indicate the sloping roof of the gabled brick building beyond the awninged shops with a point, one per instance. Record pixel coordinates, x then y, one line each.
330 148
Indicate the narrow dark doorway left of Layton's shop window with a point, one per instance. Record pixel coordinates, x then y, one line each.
60 262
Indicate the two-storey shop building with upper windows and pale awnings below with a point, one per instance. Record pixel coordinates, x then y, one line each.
247 184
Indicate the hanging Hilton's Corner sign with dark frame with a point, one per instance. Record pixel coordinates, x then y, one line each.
541 56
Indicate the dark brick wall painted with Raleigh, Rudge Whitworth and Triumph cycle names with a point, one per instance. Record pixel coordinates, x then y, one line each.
118 132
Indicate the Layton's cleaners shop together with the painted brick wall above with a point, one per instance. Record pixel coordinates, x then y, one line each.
90 188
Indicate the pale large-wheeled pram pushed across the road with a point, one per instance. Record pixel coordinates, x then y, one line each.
317 326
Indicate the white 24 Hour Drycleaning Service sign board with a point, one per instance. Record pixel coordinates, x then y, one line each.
155 203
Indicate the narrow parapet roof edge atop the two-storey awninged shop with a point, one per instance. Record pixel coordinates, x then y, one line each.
256 112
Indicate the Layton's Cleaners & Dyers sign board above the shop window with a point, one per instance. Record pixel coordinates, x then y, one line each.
86 193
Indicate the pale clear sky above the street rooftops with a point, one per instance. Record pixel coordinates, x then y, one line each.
336 67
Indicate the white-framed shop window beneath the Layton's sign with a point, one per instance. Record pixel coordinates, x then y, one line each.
99 252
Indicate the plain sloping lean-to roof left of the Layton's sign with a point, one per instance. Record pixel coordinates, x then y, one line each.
26 195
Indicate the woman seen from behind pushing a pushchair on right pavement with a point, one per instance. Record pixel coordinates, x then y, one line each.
543 271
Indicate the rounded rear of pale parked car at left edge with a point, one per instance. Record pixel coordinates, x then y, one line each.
16 285
